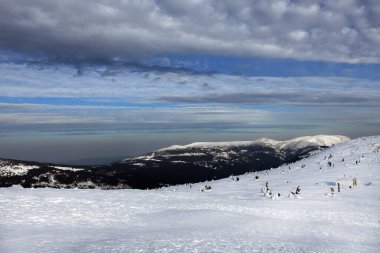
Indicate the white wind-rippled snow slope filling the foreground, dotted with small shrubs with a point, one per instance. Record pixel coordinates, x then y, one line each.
232 217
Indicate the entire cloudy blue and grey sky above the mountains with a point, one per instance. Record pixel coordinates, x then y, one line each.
91 81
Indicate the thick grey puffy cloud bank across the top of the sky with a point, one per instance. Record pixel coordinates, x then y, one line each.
343 31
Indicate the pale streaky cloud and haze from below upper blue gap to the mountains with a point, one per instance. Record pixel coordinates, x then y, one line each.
51 113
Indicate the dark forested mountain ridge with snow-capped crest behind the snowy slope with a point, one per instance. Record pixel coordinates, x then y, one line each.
177 164
